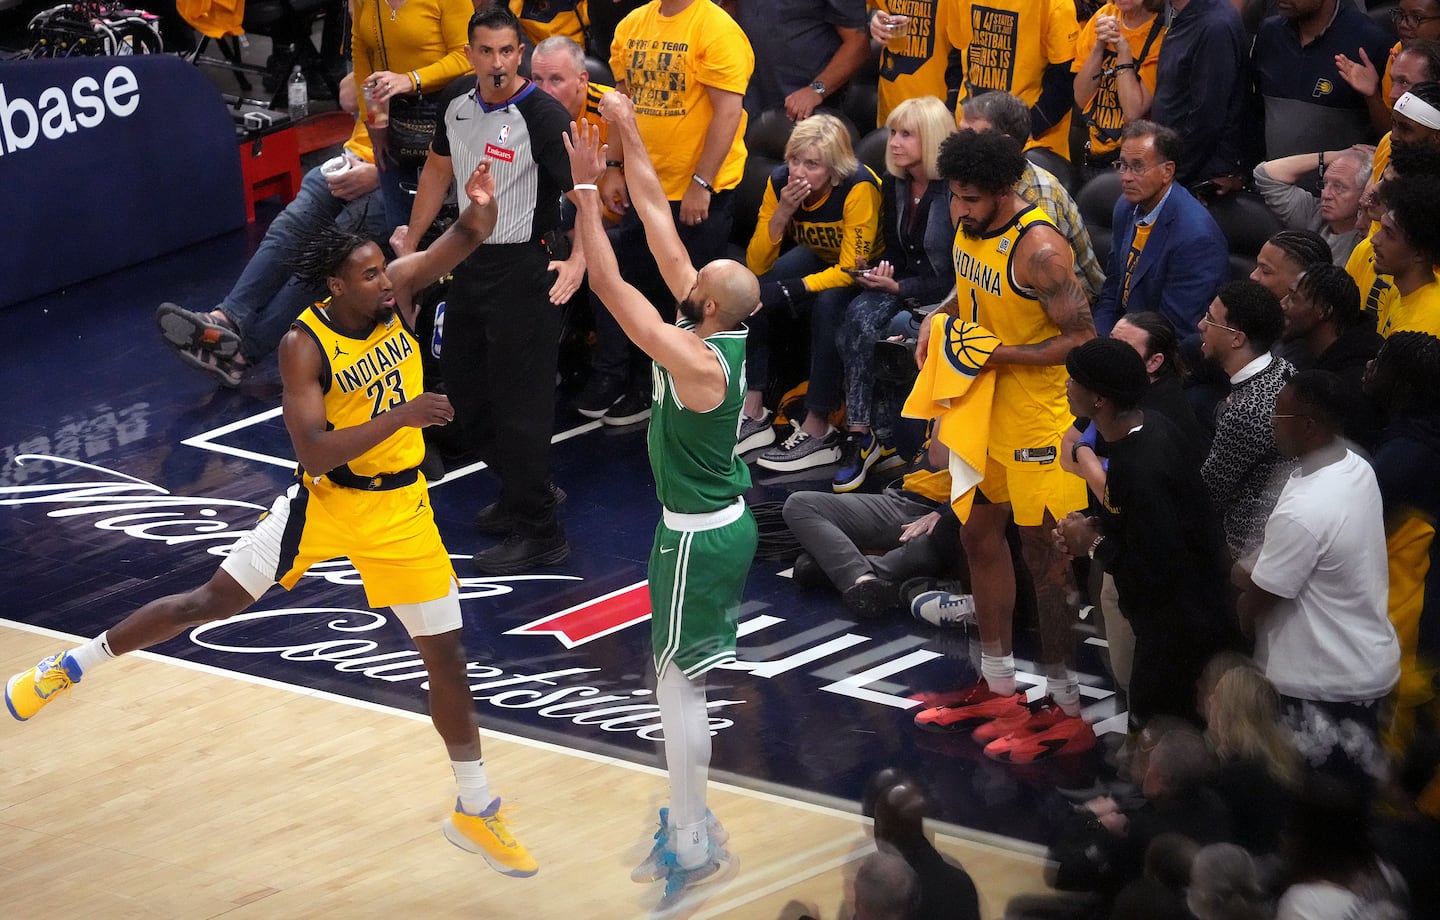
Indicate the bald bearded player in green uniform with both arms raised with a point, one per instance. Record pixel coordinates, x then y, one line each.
706 539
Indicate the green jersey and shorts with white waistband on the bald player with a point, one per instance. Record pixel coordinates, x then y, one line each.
706 539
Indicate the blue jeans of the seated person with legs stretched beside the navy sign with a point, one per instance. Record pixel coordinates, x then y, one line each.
267 299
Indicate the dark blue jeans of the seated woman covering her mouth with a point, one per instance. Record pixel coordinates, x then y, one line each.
826 310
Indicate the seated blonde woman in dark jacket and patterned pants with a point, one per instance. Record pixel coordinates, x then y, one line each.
915 225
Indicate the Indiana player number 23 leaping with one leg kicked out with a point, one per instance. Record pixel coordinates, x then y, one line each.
355 407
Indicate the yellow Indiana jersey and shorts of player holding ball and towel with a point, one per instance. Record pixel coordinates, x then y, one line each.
1030 402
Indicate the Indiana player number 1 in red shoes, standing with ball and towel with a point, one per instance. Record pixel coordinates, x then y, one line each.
1014 276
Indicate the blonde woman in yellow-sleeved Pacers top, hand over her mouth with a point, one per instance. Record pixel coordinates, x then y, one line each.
824 205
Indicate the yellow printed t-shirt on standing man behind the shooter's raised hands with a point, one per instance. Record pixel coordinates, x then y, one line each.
666 64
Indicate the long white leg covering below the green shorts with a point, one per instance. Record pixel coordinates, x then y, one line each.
686 721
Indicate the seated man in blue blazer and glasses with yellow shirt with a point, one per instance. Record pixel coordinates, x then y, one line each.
1169 254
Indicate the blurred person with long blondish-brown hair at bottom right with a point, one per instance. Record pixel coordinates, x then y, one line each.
1261 770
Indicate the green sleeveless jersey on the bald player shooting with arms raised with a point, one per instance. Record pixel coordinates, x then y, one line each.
693 453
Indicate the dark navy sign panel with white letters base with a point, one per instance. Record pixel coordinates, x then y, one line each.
106 163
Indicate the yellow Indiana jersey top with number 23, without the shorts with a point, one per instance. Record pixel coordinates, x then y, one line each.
364 378
